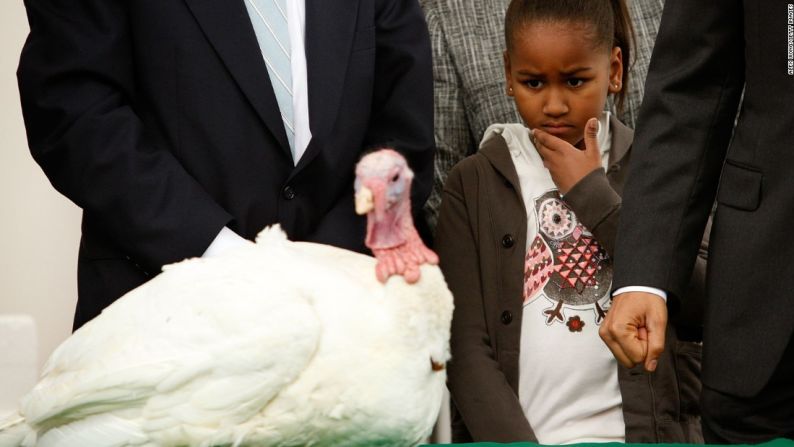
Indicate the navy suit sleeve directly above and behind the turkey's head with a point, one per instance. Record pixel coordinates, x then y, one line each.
402 99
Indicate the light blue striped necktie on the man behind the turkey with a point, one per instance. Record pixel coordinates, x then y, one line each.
269 18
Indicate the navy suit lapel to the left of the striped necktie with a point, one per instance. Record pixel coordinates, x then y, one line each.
228 27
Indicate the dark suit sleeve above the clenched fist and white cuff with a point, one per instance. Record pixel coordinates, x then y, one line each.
692 92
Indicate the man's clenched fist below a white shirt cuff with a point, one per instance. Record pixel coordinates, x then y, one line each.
634 328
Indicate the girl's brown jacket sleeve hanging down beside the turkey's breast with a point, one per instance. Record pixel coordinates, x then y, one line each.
482 395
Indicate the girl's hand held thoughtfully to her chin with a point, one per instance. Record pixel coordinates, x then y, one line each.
567 164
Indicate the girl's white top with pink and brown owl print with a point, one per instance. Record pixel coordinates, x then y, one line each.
568 384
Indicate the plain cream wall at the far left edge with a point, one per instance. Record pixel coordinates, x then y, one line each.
39 228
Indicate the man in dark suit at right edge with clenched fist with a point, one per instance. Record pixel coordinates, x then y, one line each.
708 52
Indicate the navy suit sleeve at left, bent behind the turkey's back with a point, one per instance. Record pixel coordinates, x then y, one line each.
77 86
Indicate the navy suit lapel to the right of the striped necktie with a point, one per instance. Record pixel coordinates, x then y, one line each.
330 27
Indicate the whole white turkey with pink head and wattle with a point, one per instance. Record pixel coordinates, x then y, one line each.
274 343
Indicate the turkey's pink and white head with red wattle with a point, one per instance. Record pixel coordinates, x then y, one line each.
383 193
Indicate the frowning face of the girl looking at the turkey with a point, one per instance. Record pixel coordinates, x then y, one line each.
559 78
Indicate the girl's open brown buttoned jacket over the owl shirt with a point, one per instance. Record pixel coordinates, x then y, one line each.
481 240
